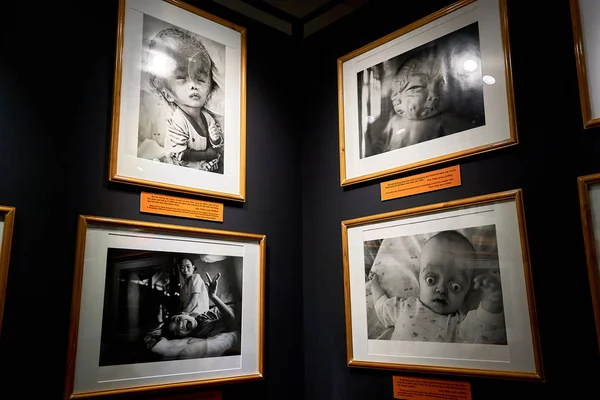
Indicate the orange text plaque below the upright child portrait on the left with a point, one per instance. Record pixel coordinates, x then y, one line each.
180 207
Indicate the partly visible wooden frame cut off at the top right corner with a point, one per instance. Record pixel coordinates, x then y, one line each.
581 45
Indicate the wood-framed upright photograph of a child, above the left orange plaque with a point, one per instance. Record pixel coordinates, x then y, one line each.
179 104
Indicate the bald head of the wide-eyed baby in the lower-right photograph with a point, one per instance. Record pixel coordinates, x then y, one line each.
446 271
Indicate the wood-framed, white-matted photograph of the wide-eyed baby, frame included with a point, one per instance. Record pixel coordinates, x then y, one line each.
398 238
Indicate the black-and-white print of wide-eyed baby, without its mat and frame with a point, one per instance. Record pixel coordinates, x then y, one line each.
441 287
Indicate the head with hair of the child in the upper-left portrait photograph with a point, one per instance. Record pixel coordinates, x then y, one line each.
180 68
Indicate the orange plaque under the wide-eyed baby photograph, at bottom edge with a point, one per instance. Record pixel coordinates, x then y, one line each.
427 389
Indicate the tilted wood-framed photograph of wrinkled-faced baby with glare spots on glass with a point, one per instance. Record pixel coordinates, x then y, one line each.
436 90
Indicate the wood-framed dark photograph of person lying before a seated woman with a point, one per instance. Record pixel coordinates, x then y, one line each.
161 306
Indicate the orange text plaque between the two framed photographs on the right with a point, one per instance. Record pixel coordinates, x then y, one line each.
427 182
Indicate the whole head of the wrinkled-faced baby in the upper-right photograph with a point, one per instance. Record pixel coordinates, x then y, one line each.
419 86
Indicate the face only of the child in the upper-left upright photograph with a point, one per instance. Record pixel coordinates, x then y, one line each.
190 83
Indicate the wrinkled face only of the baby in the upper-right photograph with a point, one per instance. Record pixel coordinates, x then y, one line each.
416 91
